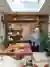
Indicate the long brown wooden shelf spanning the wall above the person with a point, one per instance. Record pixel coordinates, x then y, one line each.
24 17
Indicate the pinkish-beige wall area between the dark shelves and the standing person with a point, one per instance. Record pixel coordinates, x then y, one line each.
26 30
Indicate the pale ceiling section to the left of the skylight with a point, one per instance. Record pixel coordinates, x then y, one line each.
4 7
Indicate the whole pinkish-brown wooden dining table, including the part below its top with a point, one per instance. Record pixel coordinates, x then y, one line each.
17 53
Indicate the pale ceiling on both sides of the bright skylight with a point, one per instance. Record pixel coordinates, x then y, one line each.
4 7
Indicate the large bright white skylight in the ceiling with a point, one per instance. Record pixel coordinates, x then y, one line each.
25 5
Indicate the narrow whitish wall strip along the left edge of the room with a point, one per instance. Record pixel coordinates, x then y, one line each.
2 32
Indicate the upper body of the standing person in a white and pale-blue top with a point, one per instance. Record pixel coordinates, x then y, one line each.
35 36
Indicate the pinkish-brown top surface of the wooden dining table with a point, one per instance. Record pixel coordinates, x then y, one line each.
25 51
